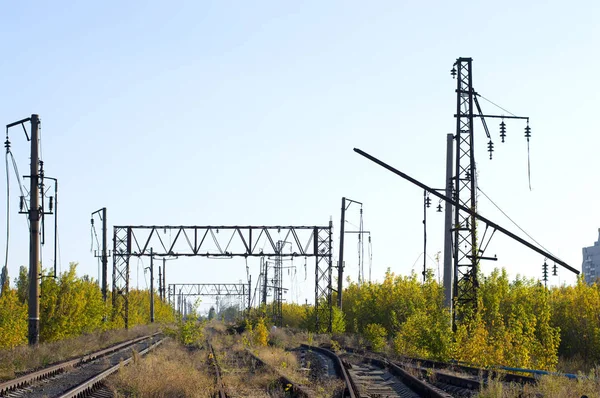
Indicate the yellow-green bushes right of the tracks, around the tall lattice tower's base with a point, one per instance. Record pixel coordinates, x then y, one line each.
519 323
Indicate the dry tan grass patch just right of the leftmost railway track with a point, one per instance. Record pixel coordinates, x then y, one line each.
169 371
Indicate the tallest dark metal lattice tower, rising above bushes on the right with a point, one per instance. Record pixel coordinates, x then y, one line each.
465 184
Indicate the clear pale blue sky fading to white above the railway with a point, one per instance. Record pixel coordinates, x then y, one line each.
247 112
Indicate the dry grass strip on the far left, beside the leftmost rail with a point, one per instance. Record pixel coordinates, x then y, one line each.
24 359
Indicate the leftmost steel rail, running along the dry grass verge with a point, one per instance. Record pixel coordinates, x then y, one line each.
44 373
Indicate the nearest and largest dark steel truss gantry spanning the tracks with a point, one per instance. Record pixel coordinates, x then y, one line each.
224 242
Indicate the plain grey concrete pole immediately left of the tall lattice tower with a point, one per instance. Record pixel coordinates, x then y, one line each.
448 257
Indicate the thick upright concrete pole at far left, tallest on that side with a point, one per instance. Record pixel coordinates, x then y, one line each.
34 238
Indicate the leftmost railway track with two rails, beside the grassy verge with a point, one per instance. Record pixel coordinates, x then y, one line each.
80 377
